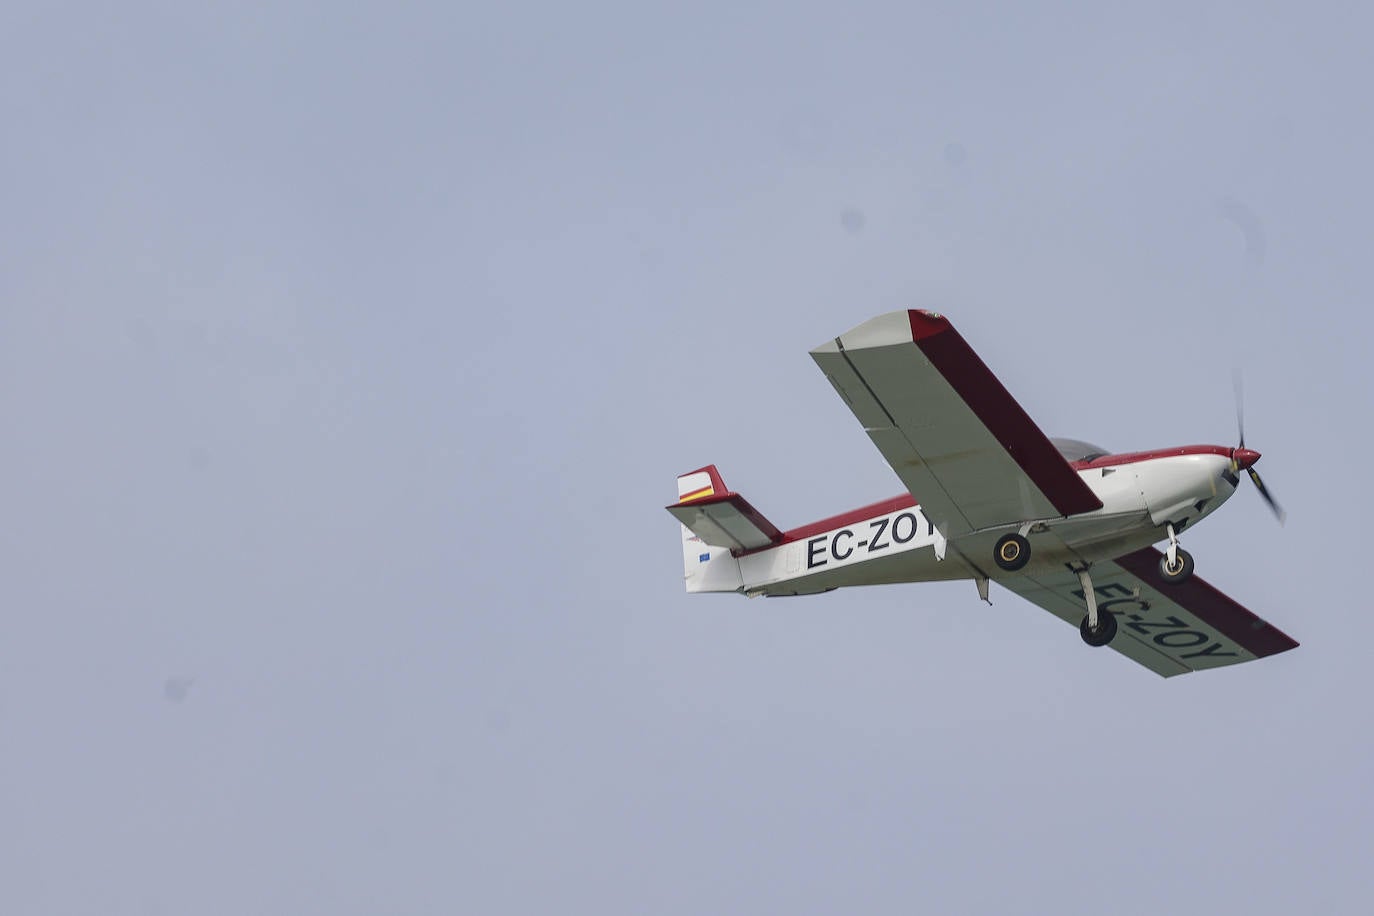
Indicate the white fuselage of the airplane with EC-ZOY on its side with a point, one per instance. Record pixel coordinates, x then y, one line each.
895 543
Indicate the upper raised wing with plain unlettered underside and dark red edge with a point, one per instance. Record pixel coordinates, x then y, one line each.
957 439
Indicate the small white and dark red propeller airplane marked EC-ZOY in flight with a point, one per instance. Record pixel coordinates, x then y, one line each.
1064 524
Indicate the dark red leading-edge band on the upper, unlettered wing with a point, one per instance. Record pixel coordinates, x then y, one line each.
1017 433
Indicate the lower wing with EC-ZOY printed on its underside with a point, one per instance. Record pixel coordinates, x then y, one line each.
1170 628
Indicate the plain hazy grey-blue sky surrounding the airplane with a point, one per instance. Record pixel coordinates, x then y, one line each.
348 356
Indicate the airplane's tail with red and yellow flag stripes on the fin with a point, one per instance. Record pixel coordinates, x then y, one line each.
717 524
